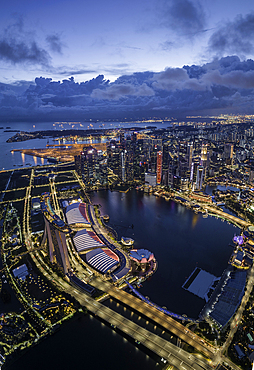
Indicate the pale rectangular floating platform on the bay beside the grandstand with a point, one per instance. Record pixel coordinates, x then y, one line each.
200 283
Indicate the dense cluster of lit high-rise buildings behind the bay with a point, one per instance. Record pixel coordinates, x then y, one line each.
181 157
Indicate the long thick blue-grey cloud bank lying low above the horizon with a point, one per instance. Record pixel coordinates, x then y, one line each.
225 85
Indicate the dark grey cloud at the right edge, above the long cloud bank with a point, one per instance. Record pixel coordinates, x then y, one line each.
236 37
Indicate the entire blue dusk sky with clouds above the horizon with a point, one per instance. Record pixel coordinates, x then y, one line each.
84 59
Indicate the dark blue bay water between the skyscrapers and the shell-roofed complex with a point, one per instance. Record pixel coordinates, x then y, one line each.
179 239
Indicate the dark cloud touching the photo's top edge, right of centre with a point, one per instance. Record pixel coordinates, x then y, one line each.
185 17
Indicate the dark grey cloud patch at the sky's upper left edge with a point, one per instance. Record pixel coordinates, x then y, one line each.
19 46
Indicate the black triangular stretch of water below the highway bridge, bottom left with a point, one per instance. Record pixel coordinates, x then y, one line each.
84 343
